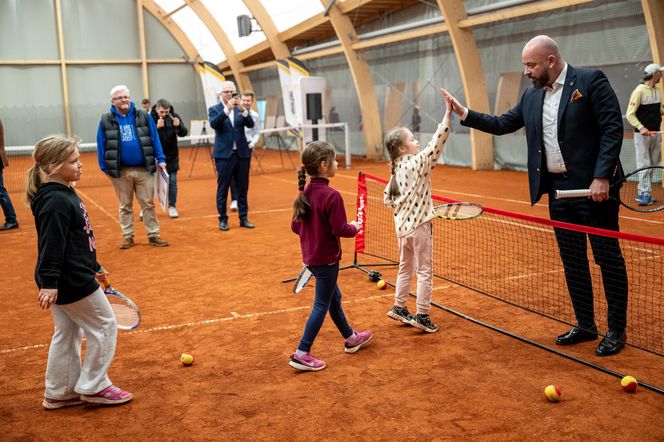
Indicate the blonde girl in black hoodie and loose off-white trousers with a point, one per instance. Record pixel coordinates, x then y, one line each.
66 274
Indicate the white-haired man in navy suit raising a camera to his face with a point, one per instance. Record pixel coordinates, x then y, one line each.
231 151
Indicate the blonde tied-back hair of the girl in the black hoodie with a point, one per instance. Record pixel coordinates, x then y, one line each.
50 151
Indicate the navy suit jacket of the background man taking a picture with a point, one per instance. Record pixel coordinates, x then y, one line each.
227 134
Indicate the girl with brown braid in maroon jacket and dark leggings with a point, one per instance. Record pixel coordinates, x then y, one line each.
319 218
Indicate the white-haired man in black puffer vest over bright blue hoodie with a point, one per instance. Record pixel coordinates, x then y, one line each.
129 152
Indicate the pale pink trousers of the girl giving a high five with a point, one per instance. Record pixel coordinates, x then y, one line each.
415 256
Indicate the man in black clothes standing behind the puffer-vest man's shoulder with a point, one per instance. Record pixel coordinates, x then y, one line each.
170 126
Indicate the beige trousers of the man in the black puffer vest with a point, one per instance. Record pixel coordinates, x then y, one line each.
136 180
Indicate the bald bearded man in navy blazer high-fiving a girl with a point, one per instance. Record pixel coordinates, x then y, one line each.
574 134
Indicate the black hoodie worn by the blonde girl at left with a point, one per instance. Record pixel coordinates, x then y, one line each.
66 243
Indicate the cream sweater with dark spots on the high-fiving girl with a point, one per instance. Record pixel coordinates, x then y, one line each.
413 205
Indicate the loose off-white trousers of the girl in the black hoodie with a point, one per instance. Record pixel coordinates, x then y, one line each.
93 317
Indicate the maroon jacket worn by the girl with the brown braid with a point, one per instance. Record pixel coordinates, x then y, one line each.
326 223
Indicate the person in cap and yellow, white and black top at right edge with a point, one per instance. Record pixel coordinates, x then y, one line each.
644 112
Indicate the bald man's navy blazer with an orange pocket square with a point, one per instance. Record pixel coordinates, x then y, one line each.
590 129
